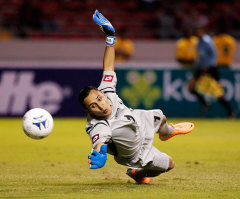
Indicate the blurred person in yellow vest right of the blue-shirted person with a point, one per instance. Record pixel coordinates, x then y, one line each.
225 45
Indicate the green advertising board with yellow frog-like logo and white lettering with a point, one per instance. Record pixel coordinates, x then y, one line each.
168 90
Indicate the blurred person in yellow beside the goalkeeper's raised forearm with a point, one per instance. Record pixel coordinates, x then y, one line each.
124 47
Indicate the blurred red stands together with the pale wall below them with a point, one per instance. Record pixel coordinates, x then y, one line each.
62 30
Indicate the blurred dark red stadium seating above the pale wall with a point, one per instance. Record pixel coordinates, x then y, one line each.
152 19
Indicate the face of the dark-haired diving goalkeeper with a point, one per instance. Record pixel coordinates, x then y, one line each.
97 104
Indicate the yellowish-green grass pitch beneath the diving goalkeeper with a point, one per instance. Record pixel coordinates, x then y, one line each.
207 164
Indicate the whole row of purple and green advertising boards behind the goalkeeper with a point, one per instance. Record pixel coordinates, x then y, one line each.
56 90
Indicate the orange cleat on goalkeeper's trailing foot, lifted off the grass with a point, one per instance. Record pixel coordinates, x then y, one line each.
181 128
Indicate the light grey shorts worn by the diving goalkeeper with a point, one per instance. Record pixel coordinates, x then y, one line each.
148 156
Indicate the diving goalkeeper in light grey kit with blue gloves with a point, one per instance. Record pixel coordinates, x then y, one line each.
125 133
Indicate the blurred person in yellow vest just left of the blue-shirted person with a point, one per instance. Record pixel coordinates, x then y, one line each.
186 49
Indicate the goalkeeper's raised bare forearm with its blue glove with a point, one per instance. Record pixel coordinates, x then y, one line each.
109 31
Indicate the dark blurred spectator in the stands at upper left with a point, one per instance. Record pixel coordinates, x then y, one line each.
30 15
